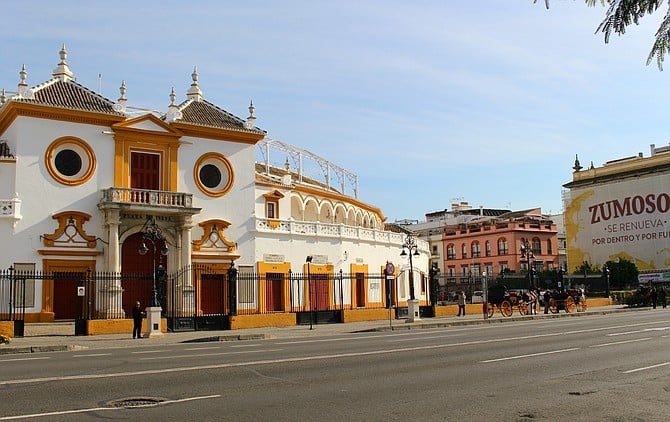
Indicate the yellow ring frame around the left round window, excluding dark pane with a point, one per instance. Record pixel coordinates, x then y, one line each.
86 155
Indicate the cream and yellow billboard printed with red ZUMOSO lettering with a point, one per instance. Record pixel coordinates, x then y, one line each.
627 219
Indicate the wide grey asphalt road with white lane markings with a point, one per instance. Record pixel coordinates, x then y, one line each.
604 367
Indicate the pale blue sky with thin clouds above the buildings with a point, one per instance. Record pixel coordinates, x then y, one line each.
428 102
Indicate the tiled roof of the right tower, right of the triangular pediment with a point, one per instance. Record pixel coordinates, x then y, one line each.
204 113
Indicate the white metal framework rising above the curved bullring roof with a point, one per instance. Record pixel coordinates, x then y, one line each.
298 155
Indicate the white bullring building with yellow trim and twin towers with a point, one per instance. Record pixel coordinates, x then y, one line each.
82 176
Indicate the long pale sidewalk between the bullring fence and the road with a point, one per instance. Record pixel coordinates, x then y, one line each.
51 337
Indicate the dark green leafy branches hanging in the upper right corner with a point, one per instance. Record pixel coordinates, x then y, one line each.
622 13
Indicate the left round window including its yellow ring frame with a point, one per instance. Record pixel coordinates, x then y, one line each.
70 161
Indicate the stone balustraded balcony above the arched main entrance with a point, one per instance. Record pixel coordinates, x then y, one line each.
148 200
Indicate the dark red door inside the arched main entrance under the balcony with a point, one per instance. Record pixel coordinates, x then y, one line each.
137 278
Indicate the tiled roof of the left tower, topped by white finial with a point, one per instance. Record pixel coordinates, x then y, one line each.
70 95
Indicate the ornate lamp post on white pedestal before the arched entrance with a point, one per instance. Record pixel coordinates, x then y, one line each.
152 235
